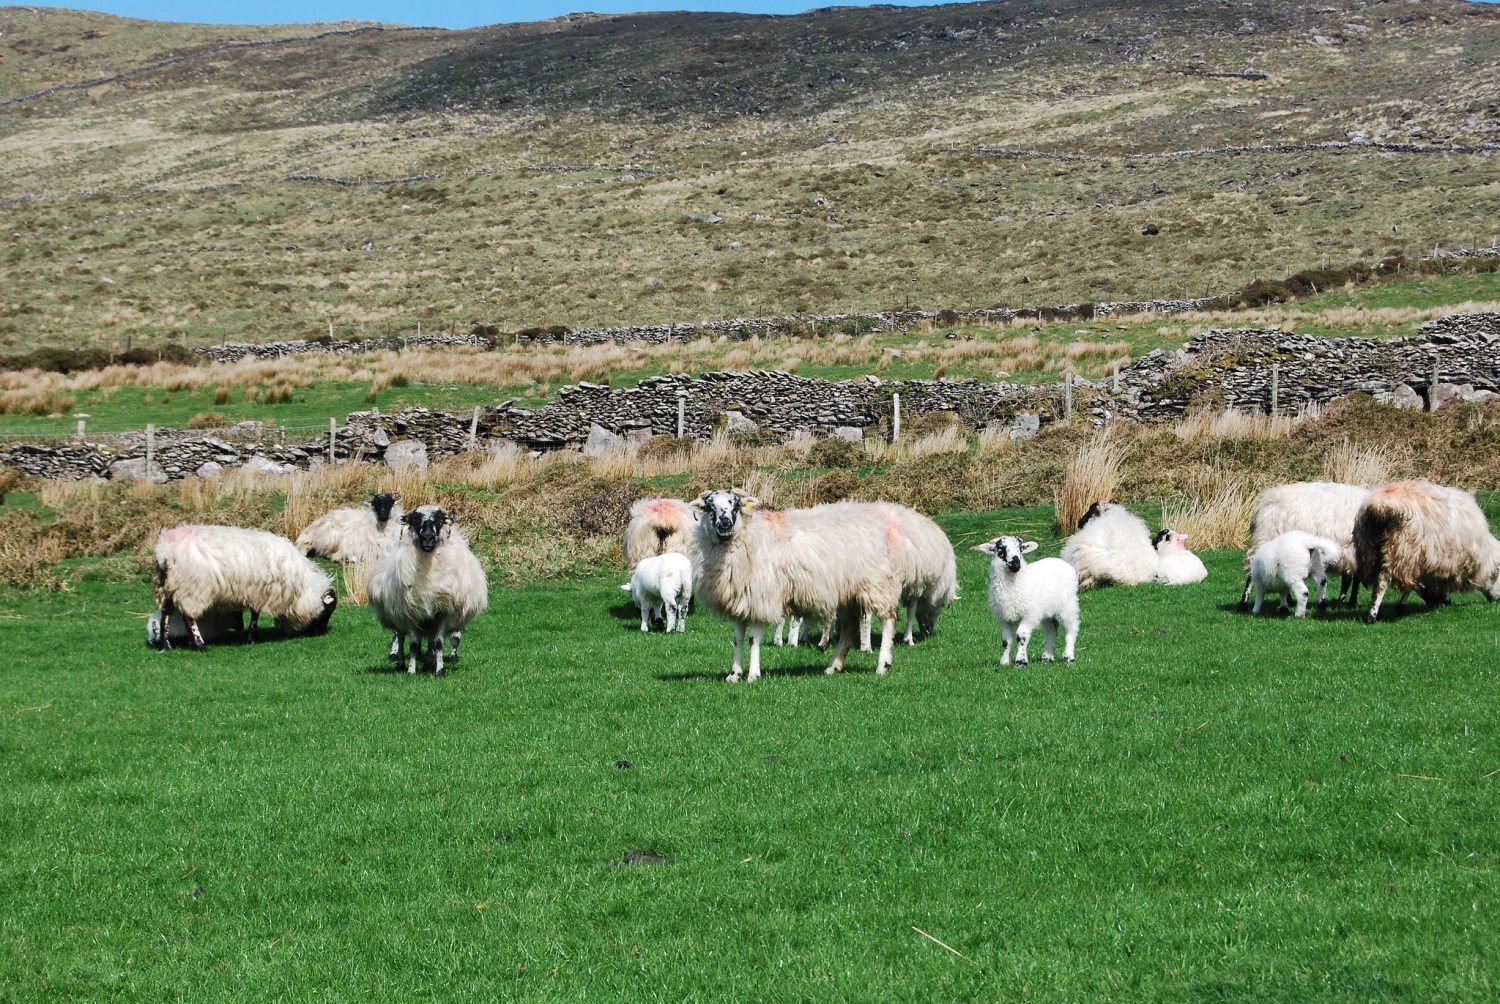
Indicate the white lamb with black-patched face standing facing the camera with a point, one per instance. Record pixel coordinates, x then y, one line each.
1024 597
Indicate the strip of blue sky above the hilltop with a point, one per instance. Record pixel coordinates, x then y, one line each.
451 16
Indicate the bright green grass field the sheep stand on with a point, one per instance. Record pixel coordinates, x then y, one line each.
1204 808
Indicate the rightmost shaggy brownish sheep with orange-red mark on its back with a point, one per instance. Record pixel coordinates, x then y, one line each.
1427 538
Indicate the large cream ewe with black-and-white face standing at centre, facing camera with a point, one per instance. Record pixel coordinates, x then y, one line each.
827 562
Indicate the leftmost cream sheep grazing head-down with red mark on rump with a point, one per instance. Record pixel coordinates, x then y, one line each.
202 570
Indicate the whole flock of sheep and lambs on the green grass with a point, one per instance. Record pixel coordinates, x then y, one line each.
844 565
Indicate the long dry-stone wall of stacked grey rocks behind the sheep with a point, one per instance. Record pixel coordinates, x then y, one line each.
1228 367
